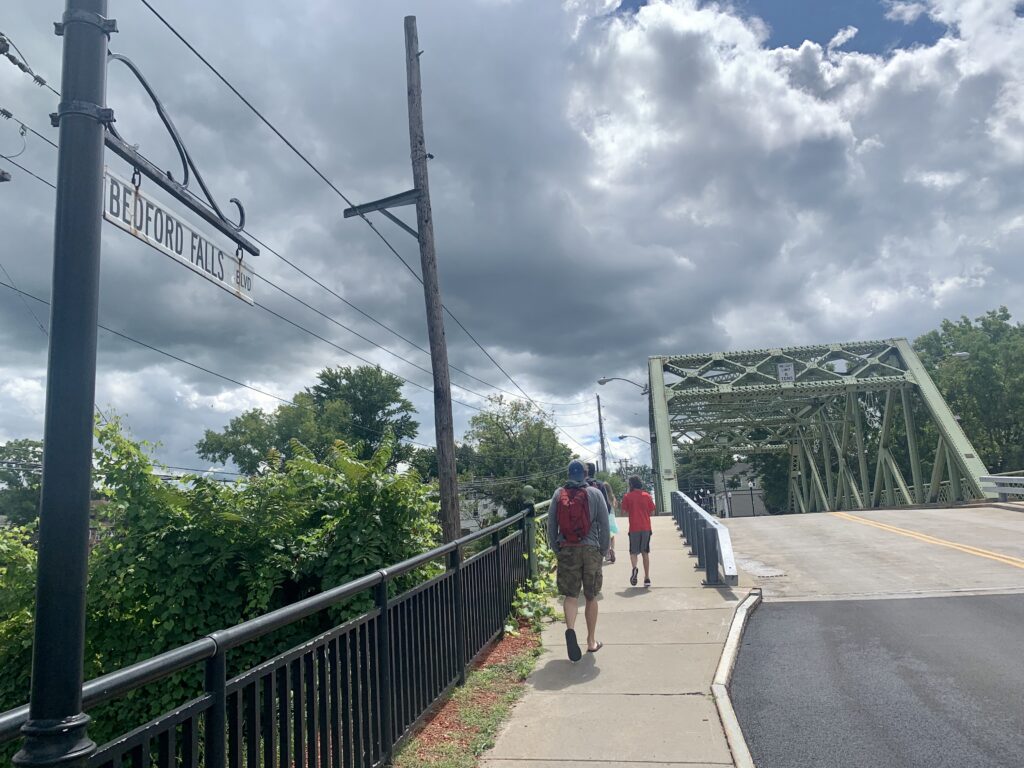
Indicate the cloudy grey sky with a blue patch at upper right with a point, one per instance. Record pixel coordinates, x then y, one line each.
612 181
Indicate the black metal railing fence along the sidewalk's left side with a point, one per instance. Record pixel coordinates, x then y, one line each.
345 699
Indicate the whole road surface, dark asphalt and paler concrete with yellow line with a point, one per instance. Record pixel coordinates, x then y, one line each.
891 639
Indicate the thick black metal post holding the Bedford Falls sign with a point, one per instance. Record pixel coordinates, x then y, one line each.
56 733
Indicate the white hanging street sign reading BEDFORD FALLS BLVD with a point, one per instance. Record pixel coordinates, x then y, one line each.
127 207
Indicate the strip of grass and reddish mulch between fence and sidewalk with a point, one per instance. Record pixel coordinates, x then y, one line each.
465 727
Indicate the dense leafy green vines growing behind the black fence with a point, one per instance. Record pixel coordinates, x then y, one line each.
178 564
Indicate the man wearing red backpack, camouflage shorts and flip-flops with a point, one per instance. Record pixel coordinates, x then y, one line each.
578 532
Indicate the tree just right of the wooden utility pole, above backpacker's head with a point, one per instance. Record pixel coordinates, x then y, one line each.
516 445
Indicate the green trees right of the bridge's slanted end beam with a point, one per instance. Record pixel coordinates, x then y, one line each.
987 390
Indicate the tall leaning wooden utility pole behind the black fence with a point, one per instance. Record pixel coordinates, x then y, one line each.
451 524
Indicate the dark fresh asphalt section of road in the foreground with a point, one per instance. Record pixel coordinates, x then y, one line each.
886 684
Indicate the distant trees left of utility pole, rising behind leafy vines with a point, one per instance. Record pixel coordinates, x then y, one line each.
358 406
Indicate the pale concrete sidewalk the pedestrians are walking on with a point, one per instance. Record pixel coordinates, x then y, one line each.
646 697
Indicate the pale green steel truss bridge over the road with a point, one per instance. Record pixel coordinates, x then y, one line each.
863 424
